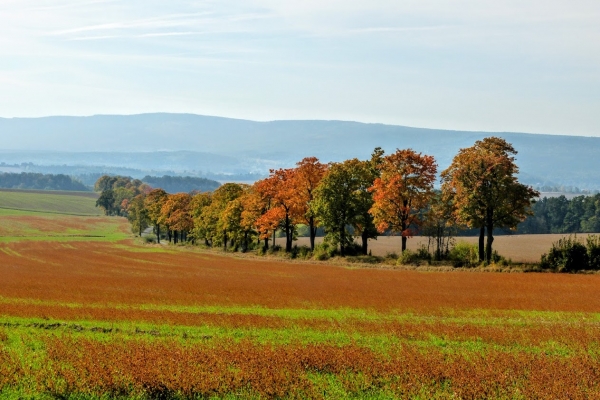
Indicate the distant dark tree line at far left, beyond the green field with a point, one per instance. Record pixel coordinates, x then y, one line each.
37 181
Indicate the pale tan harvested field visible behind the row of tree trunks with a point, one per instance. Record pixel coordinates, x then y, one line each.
519 248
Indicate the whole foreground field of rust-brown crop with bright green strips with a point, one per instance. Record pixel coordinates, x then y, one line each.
91 318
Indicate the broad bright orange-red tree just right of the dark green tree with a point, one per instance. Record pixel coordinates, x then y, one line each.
404 188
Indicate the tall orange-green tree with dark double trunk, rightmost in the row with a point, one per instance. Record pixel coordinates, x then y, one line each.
486 194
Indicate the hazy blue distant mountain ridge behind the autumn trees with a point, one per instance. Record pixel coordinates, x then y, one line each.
191 142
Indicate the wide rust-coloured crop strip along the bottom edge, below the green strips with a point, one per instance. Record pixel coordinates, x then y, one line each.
171 369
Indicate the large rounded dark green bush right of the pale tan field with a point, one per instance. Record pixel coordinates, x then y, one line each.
566 255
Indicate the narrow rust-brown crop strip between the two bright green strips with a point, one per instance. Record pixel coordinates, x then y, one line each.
572 336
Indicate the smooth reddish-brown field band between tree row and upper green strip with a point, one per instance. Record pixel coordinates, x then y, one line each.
105 273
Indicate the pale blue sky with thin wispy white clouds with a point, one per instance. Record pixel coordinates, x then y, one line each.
485 65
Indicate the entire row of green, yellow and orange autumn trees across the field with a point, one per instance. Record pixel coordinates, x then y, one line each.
362 199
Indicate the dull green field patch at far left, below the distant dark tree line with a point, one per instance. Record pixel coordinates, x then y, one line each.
50 202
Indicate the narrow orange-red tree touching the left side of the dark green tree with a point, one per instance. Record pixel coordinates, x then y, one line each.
307 176
